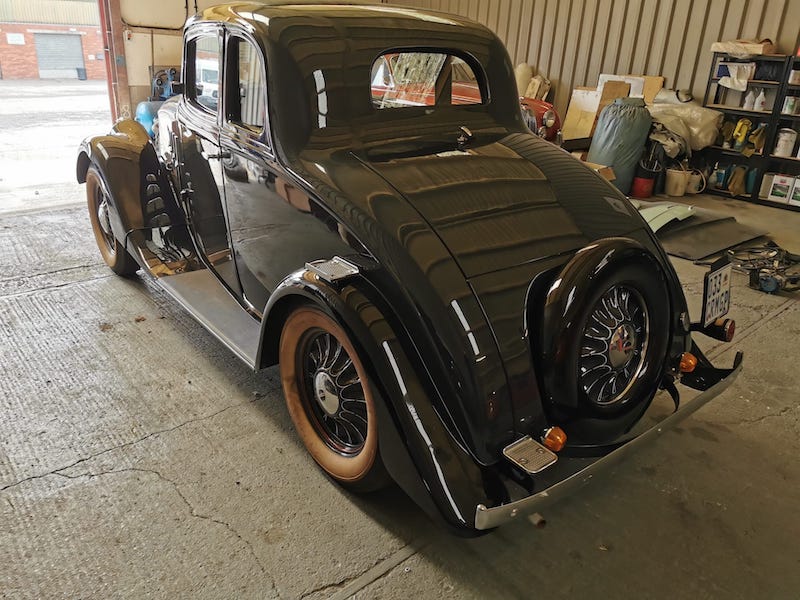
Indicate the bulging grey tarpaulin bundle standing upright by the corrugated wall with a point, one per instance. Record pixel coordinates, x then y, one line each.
619 139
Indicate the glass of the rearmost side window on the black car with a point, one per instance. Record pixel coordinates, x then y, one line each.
247 96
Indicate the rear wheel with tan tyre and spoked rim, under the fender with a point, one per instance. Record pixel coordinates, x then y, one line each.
330 399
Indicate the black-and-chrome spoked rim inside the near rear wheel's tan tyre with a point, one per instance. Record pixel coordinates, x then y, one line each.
335 393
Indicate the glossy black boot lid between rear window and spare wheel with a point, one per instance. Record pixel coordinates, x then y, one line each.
506 202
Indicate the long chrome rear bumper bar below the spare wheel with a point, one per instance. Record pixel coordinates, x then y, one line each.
488 518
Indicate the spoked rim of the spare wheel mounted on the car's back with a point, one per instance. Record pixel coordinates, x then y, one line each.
613 345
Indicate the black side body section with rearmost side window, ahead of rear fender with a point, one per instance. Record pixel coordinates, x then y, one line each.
276 227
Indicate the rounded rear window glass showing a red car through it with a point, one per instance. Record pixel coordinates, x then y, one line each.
403 79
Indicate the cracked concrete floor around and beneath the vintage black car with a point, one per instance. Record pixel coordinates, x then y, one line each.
139 458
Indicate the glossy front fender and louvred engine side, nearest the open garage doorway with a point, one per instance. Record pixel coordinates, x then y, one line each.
139 190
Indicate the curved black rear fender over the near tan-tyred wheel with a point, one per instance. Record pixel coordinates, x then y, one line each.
417 449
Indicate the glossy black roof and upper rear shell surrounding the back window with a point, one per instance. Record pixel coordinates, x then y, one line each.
324 47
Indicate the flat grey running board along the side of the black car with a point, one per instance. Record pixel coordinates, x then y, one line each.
201 293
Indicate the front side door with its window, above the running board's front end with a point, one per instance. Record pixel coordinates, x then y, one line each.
201 168
